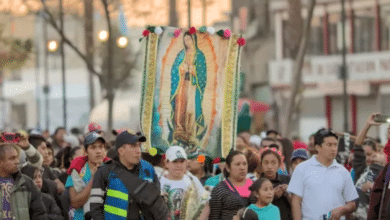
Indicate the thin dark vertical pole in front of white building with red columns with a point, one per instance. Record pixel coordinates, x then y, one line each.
344 67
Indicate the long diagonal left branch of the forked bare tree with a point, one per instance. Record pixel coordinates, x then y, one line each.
52 21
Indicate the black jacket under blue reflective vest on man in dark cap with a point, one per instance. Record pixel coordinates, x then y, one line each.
101 182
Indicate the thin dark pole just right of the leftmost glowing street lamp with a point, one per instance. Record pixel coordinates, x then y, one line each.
63 66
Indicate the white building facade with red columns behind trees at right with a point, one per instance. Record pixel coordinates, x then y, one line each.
367 36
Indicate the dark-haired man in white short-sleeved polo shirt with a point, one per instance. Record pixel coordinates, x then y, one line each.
320 187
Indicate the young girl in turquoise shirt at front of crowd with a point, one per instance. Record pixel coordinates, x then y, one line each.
264 192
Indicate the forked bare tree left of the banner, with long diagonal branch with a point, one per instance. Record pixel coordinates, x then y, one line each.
108 80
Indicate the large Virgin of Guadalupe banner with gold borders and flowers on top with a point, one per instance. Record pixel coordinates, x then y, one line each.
190 89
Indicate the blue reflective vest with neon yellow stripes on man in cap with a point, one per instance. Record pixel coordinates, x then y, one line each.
117 195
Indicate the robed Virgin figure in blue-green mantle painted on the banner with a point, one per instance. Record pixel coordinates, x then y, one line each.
188 83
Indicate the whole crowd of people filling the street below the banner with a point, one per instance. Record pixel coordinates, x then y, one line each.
88 176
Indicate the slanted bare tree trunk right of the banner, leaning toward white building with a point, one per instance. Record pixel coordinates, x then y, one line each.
296 82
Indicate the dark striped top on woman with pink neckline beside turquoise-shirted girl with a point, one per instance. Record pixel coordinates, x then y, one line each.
224 202
